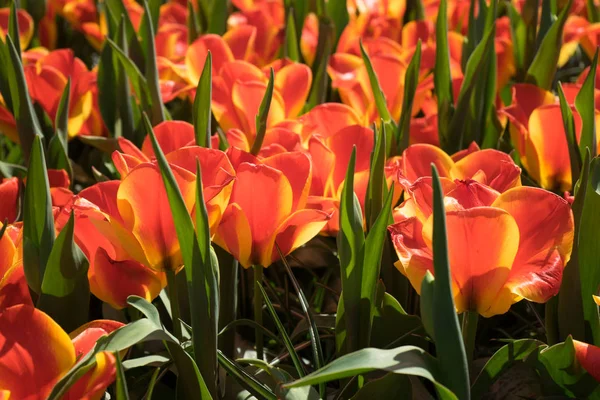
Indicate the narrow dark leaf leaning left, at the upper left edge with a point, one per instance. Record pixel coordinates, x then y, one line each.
28 124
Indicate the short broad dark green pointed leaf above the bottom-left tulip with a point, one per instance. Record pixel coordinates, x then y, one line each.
65 292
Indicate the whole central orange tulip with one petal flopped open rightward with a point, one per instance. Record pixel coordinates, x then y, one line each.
251 225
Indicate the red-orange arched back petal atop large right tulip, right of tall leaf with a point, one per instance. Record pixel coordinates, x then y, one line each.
498 168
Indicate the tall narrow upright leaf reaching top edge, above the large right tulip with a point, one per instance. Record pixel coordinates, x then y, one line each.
441 74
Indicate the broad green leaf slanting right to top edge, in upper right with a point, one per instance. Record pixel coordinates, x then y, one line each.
543 67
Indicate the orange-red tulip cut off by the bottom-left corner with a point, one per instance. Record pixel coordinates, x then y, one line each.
37 353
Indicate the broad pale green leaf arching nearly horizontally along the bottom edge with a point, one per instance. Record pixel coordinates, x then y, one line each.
405 360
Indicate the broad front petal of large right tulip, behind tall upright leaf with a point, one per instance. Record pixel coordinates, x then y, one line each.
479 266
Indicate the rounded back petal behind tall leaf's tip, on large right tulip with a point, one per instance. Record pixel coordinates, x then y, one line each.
417 160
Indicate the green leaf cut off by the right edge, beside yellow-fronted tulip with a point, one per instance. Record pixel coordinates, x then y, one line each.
584 103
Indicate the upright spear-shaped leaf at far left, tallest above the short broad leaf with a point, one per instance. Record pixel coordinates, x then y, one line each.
38 220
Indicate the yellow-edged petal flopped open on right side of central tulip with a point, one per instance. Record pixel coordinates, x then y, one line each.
297 230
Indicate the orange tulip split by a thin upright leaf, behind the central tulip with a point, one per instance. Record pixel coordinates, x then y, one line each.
240 88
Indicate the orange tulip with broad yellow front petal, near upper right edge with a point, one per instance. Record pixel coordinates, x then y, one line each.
538 134
